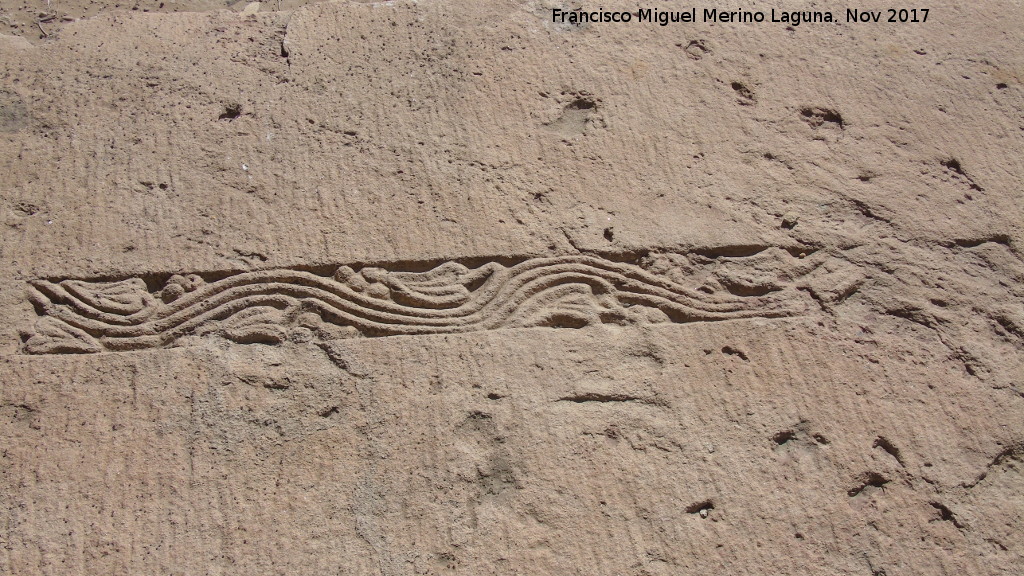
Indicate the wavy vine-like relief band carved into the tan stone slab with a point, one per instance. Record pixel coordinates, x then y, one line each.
272 307
